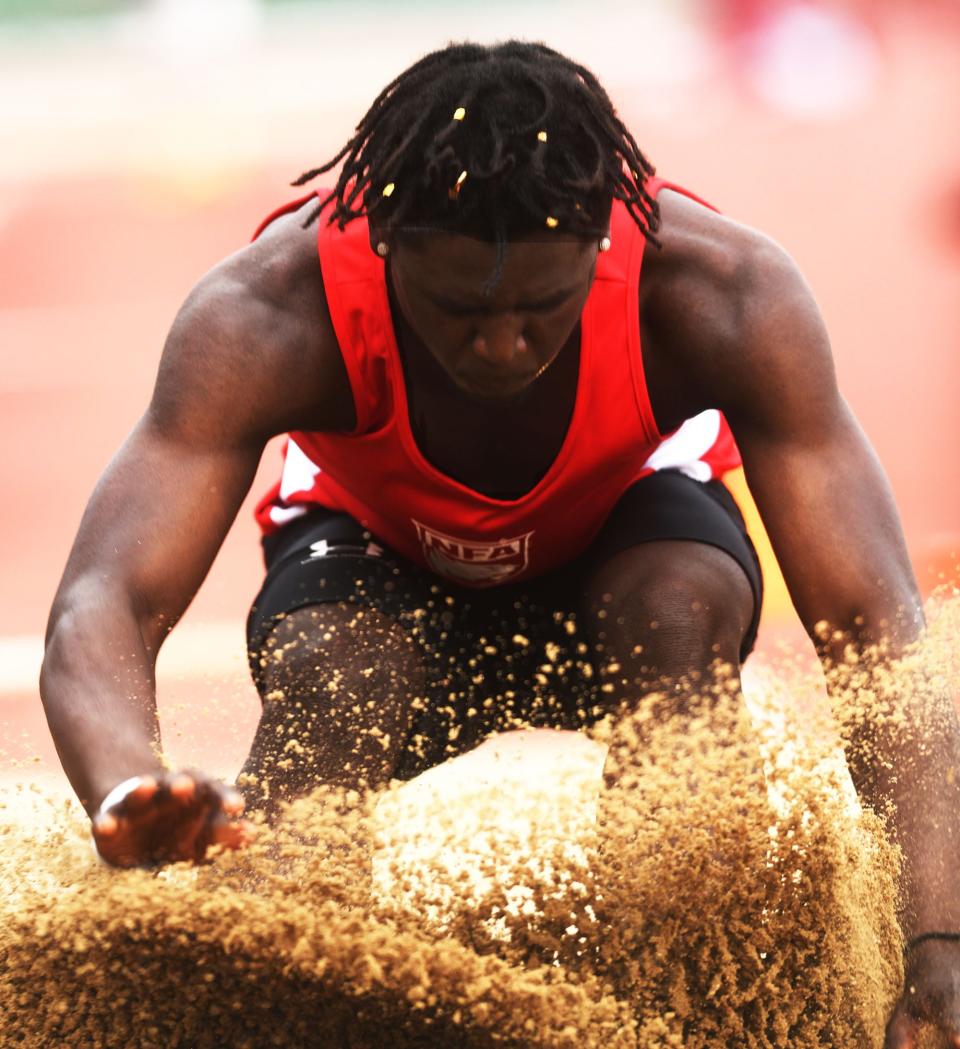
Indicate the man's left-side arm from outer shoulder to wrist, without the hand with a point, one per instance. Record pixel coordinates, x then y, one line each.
153 528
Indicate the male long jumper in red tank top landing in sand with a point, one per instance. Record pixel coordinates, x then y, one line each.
511 365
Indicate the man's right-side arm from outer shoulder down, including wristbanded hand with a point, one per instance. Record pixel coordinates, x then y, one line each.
831 518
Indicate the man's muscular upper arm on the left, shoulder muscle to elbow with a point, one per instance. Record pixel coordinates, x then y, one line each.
165 503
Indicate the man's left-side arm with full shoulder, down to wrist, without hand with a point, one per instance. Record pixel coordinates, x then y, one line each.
248 357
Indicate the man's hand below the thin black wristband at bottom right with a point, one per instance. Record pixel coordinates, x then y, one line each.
931 996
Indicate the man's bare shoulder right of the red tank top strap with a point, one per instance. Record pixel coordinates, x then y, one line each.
729 308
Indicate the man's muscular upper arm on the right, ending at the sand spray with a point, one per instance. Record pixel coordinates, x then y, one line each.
821 490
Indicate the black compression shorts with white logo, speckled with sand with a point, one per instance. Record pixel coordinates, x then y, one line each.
487 669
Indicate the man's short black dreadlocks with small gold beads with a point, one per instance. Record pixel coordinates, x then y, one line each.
496 142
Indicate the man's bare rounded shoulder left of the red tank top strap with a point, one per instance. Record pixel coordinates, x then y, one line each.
254 338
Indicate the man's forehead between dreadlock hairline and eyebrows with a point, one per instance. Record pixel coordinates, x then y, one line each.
464 266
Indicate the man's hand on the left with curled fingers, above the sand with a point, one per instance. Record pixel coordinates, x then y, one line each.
169 818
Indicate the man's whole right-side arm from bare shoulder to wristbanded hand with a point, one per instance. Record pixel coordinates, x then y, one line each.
730 324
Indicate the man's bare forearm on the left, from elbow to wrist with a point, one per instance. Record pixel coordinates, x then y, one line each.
98 690
